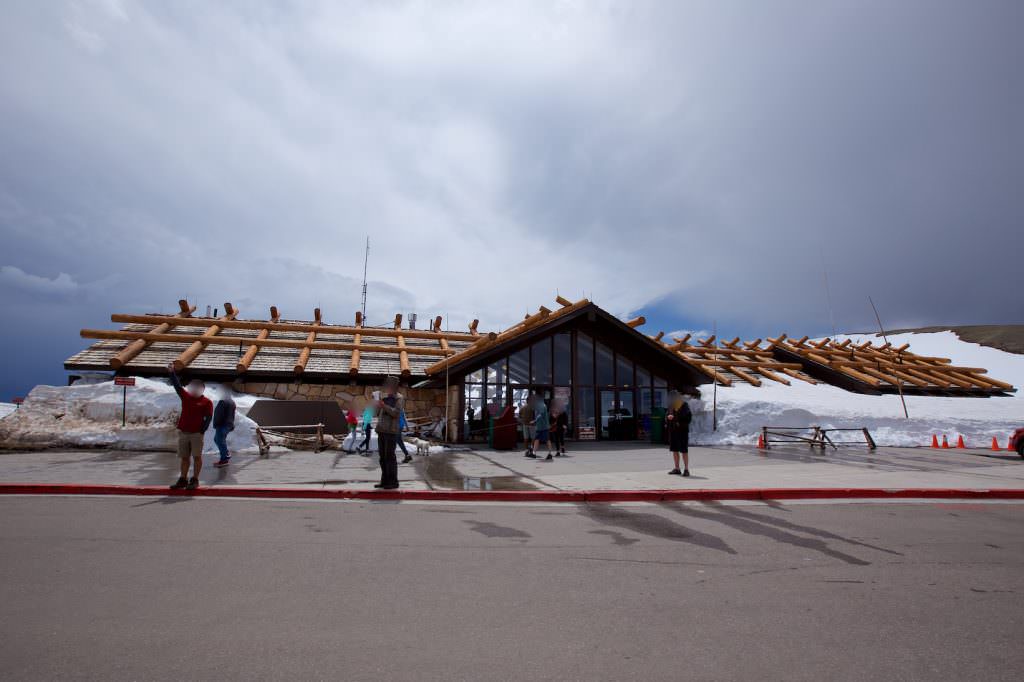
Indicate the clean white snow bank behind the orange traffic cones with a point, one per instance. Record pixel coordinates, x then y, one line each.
743 410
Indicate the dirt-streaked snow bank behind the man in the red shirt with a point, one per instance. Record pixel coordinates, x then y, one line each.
89 415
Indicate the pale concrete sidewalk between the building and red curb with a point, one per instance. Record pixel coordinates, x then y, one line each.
589 467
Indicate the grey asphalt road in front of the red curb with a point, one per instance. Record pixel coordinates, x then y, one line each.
173 589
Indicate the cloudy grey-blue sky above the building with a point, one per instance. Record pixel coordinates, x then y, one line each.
705 163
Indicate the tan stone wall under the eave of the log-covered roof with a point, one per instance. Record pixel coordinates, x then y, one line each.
419 402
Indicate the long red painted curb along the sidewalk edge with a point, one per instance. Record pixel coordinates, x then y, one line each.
529 496
